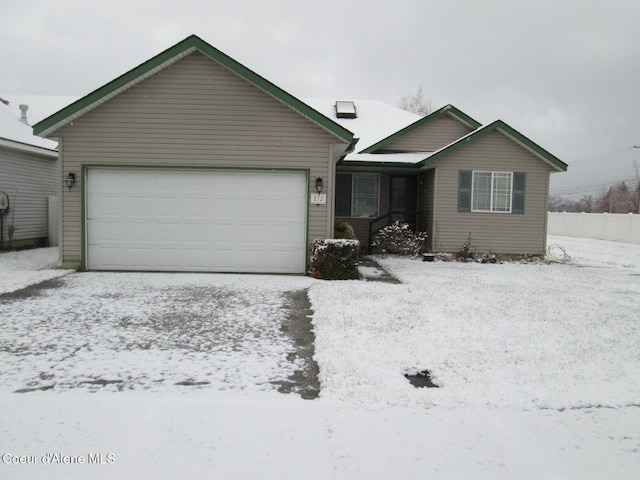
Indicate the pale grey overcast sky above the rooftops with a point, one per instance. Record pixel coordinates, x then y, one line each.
565 73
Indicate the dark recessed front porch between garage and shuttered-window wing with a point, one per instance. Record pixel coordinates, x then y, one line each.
370 198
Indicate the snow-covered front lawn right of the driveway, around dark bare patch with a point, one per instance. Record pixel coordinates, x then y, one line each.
528 336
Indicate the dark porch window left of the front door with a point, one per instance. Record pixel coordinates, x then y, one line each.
357 194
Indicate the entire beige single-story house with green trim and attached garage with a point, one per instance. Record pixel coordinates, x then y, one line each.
193 162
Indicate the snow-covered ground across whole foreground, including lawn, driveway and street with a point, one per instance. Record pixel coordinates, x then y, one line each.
538 367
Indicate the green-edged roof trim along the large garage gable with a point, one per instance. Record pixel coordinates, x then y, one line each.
179 50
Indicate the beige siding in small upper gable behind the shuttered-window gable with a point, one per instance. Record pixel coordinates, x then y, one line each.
431 136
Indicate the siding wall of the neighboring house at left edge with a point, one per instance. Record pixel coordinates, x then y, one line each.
28 179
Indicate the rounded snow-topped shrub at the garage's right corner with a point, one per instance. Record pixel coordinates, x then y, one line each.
334 259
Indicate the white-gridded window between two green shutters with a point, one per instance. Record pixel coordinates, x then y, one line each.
491 192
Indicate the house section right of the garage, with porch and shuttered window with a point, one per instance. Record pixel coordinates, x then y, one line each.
446 174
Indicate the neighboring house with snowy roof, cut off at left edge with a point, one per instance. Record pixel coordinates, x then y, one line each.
28 177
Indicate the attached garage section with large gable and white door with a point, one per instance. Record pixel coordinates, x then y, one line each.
192 162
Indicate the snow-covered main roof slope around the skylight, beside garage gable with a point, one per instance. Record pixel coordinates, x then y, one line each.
374 120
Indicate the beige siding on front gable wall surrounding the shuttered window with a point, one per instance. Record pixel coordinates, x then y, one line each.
506 233
